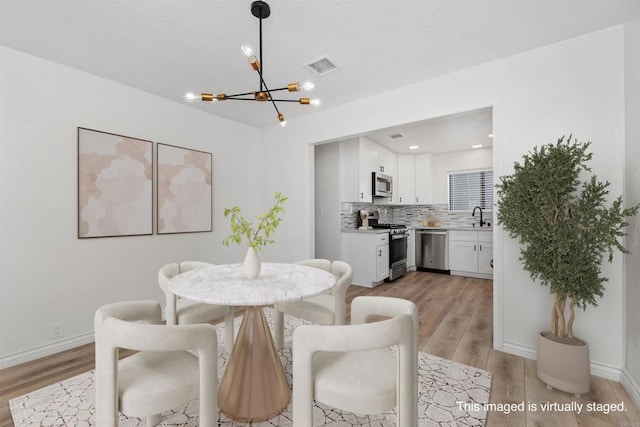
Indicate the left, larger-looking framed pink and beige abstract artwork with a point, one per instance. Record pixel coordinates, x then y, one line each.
115 189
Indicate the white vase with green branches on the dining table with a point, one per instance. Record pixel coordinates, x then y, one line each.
256 237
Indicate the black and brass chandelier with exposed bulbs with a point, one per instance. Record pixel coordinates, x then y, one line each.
260 10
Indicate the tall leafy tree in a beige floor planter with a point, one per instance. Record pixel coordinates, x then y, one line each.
566 227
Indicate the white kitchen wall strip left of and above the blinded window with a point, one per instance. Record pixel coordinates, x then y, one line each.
443 163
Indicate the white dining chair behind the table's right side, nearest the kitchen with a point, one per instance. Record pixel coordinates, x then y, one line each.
328 308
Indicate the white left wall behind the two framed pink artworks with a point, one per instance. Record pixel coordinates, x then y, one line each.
49 275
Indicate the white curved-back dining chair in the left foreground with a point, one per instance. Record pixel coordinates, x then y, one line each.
162 375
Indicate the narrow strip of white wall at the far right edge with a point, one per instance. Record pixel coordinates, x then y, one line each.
631 373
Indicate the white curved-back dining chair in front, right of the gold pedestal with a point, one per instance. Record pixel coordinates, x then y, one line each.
351 368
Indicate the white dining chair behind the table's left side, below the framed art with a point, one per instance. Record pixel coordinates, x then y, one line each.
182 311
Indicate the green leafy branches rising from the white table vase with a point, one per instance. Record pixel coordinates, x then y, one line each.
243 229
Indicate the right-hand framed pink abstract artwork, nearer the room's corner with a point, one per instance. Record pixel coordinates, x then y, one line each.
184 190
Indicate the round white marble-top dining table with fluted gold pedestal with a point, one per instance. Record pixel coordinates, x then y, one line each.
254 386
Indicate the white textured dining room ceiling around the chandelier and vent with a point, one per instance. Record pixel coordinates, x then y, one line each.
167 47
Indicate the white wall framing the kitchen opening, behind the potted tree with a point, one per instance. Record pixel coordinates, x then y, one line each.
576 86
